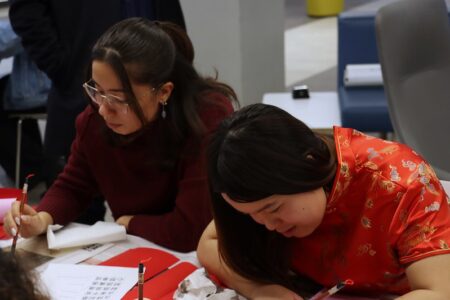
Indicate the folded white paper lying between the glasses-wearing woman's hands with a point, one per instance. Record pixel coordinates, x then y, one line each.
74 236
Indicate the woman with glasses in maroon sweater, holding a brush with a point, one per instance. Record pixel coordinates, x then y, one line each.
141 142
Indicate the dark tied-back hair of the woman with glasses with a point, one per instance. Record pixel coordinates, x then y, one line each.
151 52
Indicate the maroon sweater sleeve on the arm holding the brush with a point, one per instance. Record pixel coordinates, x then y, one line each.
75 187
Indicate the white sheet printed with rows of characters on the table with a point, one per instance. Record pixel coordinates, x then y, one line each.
86 282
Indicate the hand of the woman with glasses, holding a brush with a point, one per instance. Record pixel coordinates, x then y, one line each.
32 223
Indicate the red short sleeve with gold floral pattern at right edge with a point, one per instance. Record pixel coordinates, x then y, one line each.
424 214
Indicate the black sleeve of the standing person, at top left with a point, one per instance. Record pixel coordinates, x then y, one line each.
32 21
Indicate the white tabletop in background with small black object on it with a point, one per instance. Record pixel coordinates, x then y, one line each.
320 111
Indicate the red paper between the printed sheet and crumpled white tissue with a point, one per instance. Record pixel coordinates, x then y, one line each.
163 271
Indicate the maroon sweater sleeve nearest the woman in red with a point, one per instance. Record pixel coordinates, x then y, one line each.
181 228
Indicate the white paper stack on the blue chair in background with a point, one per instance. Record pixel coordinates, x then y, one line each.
363 75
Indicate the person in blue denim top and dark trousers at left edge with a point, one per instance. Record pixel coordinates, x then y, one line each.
23 91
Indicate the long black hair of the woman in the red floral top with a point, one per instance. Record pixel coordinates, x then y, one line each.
257 152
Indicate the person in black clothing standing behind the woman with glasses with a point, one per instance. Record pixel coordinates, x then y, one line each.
58 36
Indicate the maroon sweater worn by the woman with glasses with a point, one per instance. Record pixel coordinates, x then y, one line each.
170 208
